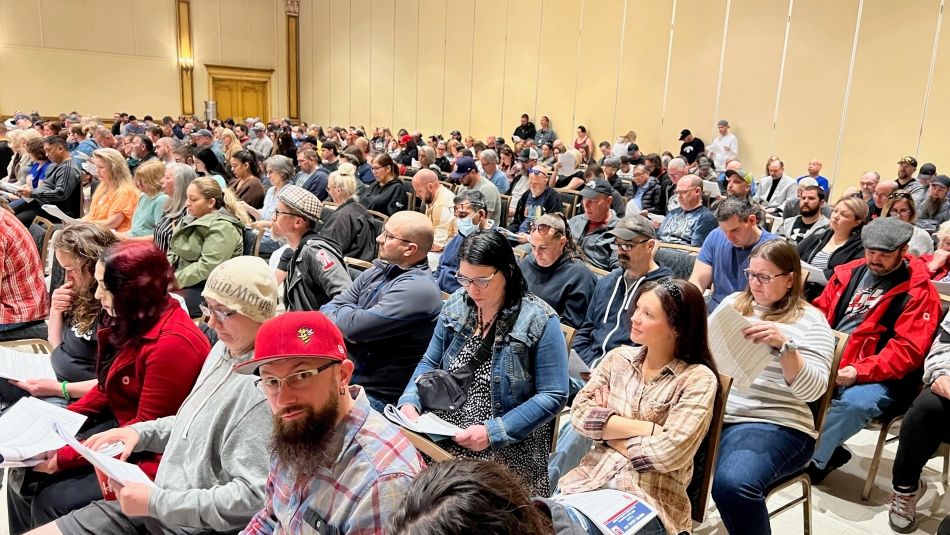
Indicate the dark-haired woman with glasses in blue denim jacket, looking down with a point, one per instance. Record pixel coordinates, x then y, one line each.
511 343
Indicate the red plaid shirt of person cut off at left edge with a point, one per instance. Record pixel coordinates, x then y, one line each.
23 295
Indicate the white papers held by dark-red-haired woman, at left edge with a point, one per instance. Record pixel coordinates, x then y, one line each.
26 428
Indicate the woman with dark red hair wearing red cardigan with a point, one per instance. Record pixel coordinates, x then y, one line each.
149 356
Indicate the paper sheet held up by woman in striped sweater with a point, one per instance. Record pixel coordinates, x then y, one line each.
737 357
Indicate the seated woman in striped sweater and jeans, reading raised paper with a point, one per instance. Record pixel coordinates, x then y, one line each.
769 430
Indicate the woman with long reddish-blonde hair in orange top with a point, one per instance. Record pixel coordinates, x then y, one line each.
114 201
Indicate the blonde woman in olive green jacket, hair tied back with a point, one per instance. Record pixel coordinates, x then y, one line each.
212 232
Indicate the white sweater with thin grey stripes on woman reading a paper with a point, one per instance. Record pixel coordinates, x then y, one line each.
770 399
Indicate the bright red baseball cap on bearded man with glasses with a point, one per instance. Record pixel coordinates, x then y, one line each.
294 335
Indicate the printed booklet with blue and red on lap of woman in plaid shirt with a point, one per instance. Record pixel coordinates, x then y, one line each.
613 512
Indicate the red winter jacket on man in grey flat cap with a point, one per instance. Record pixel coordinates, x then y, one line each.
912 333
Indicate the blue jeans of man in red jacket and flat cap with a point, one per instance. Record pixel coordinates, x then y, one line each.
851 410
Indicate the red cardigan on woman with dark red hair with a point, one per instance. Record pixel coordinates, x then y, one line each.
147 382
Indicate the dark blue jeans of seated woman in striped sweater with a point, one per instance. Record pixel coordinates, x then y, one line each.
752 457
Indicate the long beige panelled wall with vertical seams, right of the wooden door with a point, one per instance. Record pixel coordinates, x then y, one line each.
476 65
